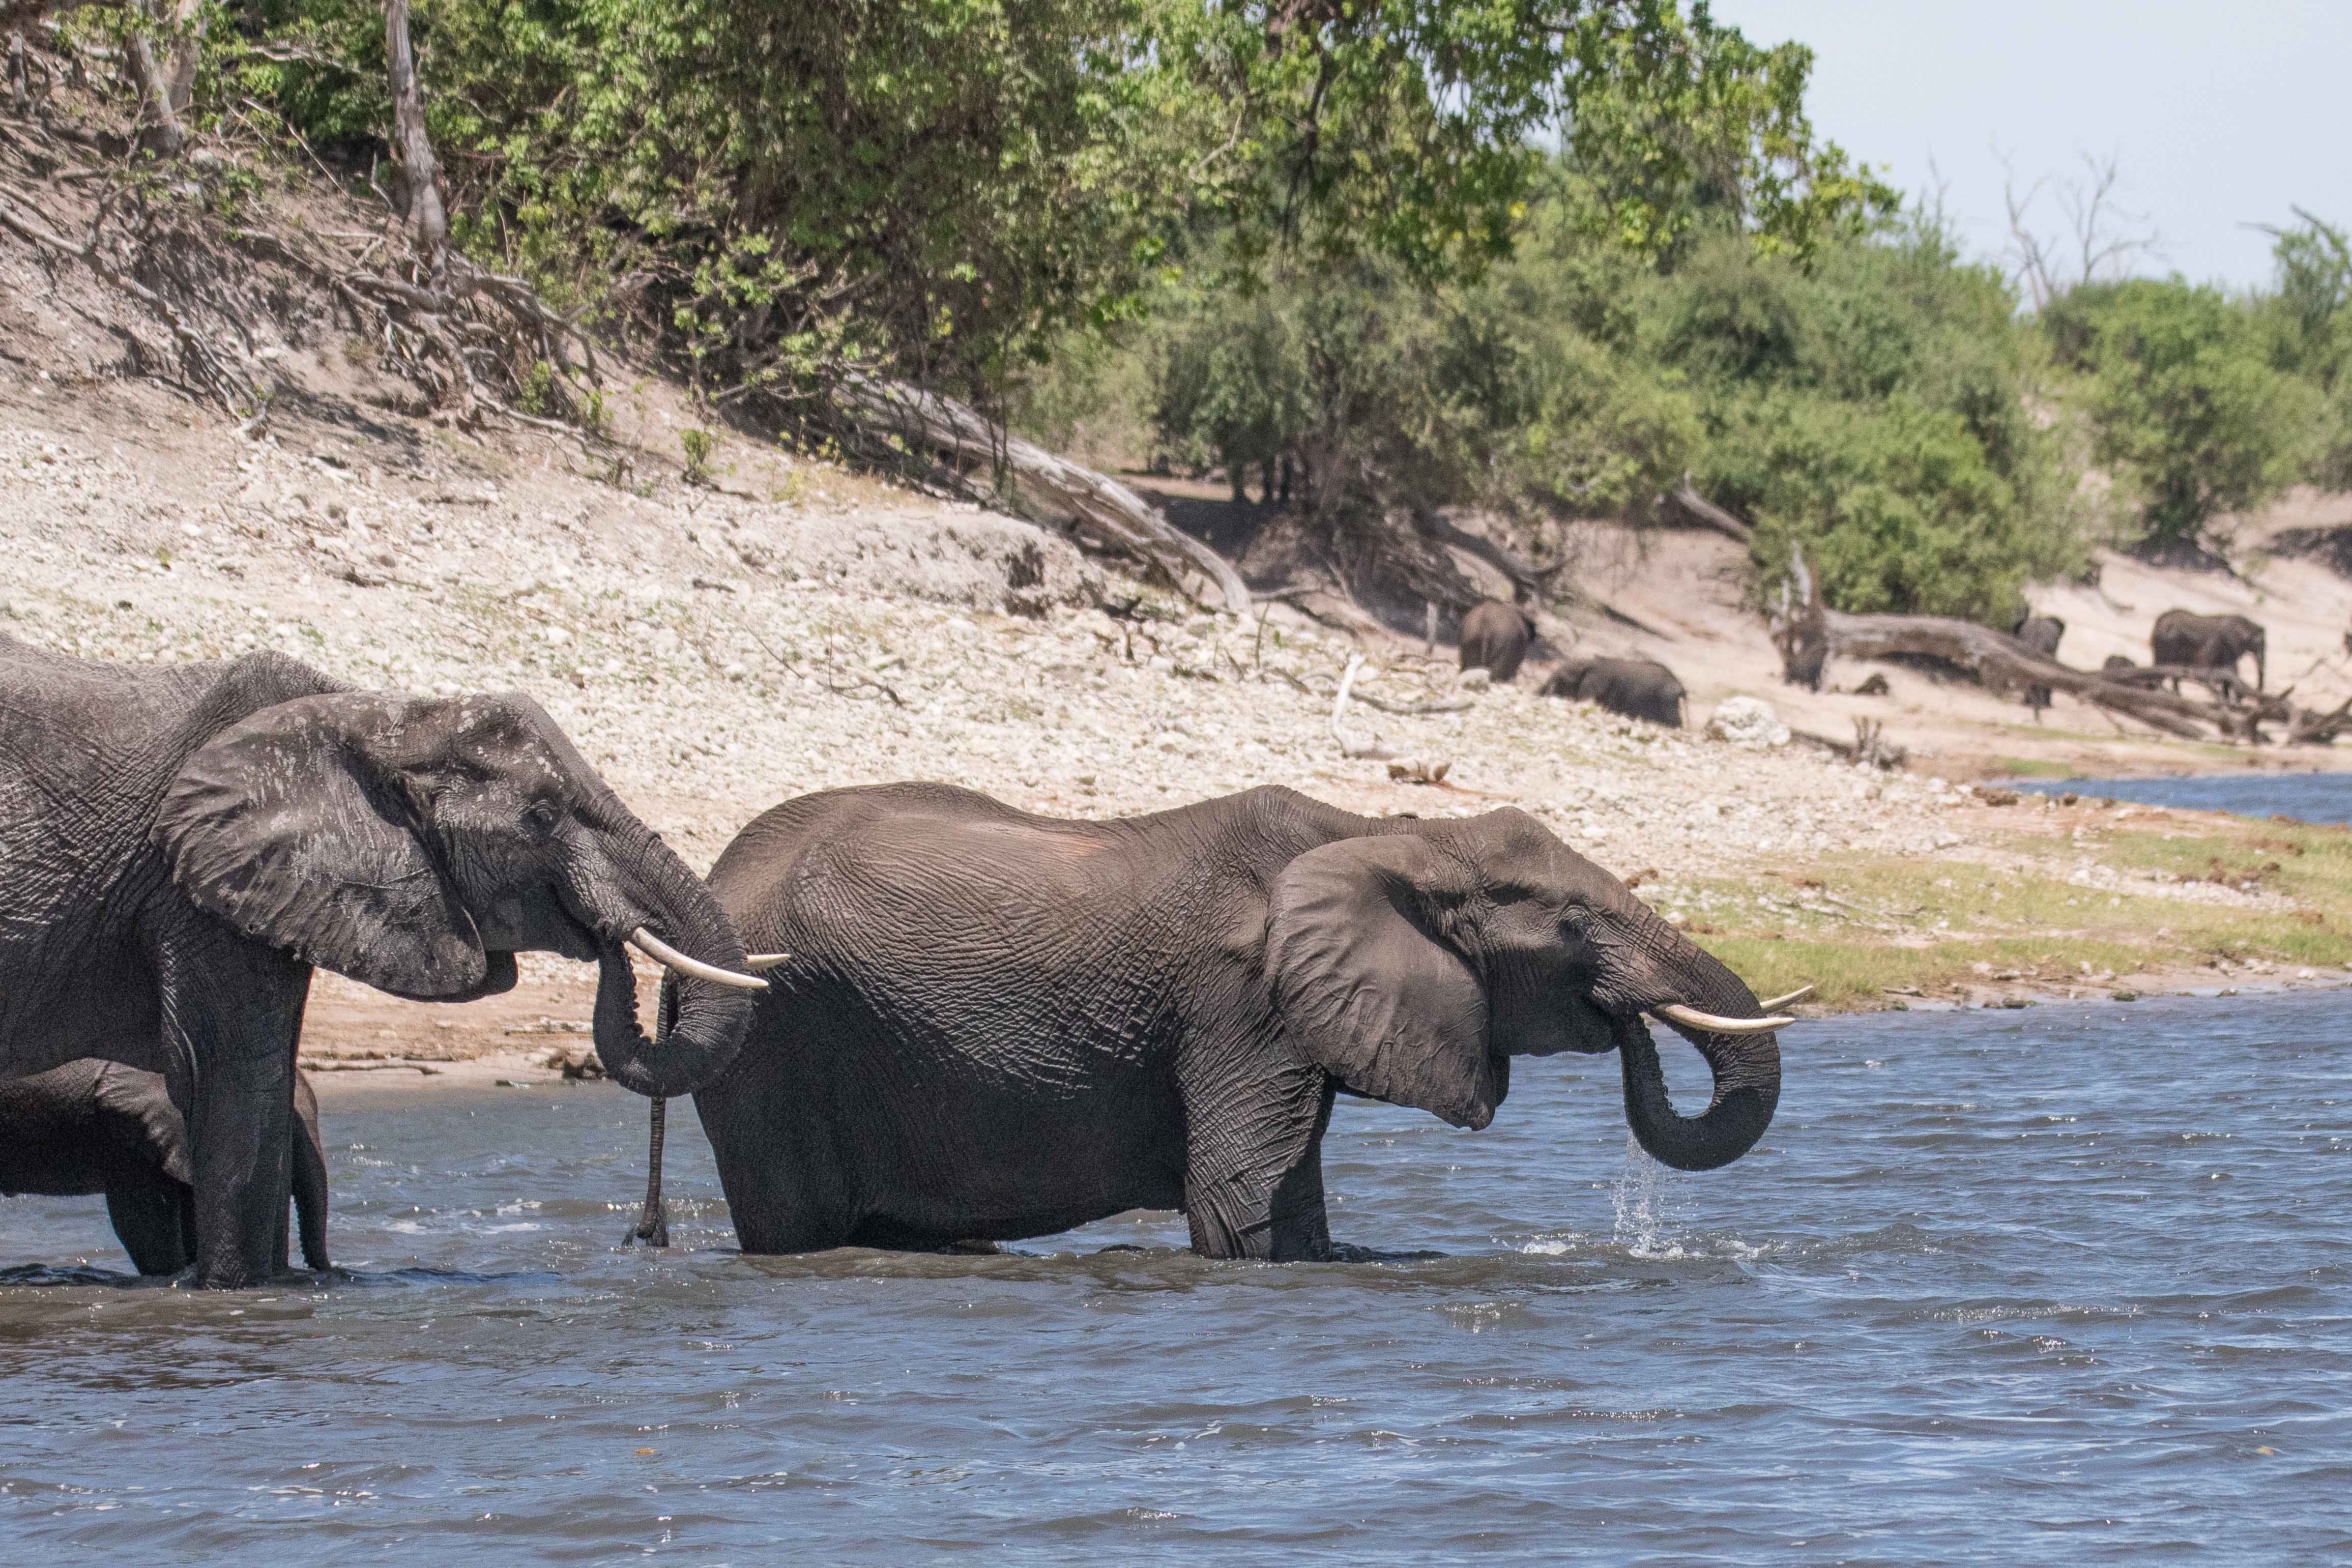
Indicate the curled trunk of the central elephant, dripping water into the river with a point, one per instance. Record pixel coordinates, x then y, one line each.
1746 1066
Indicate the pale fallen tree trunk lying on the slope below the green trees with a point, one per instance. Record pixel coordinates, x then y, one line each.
1104 509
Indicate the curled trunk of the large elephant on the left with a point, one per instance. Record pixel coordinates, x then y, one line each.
648 887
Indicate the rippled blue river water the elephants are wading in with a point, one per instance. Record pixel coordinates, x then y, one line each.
2054 1285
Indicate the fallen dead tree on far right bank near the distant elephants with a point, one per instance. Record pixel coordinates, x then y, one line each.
1810 634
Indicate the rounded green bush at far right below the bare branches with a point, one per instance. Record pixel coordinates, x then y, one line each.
2184 401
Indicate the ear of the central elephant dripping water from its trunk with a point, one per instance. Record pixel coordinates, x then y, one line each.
1370 989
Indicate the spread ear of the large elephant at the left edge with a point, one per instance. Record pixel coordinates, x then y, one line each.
290 829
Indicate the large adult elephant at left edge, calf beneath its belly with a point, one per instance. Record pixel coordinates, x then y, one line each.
182 843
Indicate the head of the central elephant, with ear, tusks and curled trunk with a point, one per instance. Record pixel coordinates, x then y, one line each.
1415 970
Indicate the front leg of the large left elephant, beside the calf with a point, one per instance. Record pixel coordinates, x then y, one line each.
232 1014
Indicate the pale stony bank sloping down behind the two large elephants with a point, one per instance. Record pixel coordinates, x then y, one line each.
716 650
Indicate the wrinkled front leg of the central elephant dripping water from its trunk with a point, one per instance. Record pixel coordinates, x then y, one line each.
1252 1181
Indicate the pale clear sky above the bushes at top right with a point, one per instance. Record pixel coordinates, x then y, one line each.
2219 114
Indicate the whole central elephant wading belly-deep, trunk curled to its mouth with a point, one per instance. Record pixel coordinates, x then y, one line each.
1003 1026
